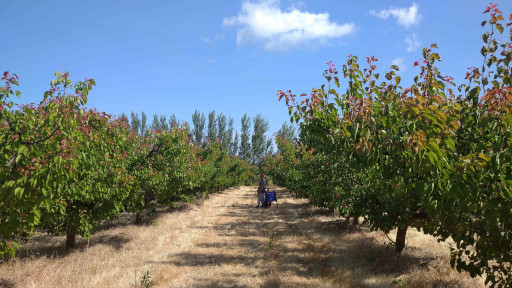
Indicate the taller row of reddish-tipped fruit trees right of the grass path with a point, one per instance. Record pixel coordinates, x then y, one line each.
430 156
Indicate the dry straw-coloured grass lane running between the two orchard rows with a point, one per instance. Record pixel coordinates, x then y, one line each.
226 242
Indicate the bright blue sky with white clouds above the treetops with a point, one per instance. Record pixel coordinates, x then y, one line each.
173 57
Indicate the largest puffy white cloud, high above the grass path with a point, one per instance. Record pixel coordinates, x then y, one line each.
265 21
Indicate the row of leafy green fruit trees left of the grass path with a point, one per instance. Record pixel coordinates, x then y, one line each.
65 168
